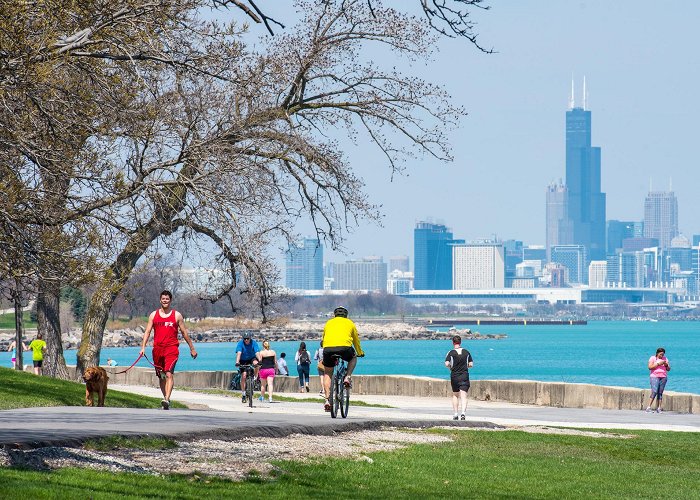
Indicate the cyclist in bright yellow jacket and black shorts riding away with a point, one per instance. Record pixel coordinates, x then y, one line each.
339 337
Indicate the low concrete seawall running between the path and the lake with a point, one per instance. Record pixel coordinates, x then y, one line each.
557 394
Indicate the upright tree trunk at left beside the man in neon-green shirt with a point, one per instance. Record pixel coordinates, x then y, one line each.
47 308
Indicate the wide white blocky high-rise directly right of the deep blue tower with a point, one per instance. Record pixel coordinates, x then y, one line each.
478 266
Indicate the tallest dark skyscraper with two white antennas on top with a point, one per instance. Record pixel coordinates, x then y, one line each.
585 204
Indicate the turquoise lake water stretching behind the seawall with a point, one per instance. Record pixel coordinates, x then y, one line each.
605 353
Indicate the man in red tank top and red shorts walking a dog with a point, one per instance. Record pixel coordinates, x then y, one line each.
165 323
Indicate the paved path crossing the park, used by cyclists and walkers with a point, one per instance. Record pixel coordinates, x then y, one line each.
223 417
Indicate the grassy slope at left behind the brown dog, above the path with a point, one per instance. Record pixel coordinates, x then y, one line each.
26 390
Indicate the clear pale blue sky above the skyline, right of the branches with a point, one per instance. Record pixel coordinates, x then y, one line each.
640 61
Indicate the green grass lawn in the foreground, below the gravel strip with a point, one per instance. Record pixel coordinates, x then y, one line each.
478 464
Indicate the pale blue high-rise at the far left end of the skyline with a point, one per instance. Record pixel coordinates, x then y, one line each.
304 266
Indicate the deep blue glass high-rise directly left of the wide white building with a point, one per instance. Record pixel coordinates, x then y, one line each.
432 256
